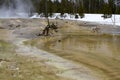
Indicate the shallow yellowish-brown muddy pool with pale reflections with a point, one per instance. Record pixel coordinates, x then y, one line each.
99 53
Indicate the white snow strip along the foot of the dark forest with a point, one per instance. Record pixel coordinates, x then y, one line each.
88 17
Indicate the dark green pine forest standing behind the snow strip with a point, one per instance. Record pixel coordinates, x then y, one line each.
73 7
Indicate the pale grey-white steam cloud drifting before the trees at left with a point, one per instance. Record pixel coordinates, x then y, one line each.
16 9
